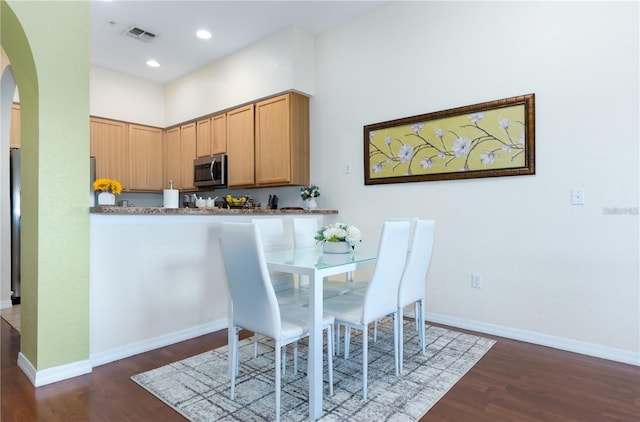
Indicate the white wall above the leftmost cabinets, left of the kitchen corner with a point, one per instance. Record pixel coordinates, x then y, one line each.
115 95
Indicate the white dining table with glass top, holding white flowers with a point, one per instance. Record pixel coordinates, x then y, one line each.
314 263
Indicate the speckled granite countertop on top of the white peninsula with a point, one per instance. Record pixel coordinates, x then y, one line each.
114 210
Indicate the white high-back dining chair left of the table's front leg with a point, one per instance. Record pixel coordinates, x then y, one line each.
254 304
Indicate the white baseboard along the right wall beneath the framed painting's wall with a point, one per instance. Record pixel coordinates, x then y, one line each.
575 346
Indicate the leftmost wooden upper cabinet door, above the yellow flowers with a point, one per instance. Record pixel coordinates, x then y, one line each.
110 146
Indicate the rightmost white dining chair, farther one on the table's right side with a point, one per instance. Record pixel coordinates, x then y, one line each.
412 284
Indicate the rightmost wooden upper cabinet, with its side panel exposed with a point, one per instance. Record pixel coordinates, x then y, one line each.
282 141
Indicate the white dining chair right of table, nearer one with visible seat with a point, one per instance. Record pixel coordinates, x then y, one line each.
381 297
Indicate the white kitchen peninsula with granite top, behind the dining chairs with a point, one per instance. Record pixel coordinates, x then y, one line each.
157 275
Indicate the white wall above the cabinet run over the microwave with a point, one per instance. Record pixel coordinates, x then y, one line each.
280 62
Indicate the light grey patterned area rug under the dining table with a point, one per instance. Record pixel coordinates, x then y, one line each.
198 387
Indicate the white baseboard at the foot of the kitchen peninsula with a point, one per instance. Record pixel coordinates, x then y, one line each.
128 350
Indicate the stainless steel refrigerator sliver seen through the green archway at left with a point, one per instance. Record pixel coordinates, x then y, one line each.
14 169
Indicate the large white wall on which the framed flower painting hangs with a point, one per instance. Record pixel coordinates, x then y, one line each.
551 269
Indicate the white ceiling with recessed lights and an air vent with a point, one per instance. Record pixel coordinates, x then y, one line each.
233 24
